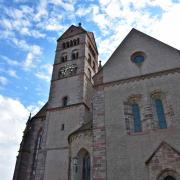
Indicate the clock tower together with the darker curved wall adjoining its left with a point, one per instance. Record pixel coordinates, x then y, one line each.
44 151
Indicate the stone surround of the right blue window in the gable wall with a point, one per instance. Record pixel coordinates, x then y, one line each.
168 112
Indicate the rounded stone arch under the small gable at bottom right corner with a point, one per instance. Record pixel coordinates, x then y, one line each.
168 172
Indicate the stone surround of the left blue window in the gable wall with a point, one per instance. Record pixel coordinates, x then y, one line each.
129 120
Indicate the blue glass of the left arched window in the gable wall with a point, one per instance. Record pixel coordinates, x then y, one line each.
136 117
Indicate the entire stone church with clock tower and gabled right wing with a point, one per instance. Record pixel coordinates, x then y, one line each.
120 121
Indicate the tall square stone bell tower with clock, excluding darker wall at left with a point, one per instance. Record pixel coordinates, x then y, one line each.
69 105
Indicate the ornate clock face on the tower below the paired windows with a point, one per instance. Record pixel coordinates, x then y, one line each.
68 70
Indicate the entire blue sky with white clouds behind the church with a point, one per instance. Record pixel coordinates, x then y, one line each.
28 34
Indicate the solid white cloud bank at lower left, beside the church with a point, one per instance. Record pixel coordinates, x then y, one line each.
13 118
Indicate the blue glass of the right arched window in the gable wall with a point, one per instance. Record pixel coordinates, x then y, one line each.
160 113
